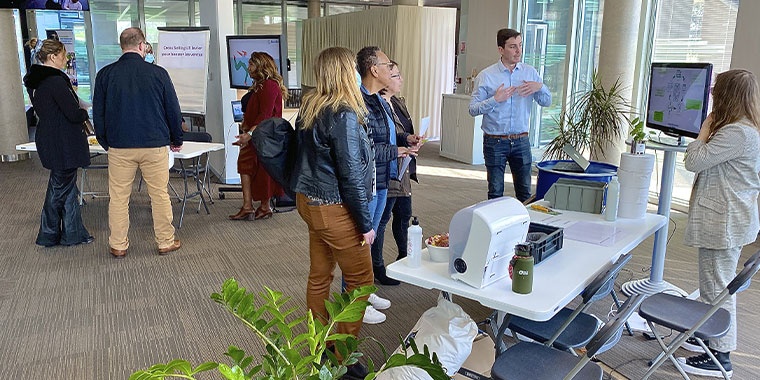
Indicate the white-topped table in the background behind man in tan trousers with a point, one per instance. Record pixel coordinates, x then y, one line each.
190 150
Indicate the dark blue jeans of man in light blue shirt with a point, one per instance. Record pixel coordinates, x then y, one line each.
497 153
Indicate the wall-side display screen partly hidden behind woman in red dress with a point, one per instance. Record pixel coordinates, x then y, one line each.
239 49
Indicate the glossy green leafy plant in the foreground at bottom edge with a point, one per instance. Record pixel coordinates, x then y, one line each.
289 355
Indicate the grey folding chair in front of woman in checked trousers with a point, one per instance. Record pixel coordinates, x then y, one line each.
692 318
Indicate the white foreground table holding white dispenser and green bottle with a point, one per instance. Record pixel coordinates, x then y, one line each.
556 281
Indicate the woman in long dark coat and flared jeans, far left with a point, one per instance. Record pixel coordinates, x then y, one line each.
61 144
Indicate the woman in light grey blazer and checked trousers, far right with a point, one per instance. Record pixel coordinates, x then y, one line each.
723 214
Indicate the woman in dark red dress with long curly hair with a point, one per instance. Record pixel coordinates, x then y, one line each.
265 101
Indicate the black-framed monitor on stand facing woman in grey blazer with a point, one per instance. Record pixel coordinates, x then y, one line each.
678 97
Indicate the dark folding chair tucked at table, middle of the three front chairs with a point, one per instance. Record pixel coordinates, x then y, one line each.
573 328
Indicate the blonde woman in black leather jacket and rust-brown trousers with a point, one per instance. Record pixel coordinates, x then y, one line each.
333 182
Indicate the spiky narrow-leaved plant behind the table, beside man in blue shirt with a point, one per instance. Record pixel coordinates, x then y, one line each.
593 120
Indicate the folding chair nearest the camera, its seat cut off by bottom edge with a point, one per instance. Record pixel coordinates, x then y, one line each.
530 360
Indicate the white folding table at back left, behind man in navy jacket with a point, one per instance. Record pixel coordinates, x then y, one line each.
194 151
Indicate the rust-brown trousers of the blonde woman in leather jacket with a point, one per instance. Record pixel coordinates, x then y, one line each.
333 239
